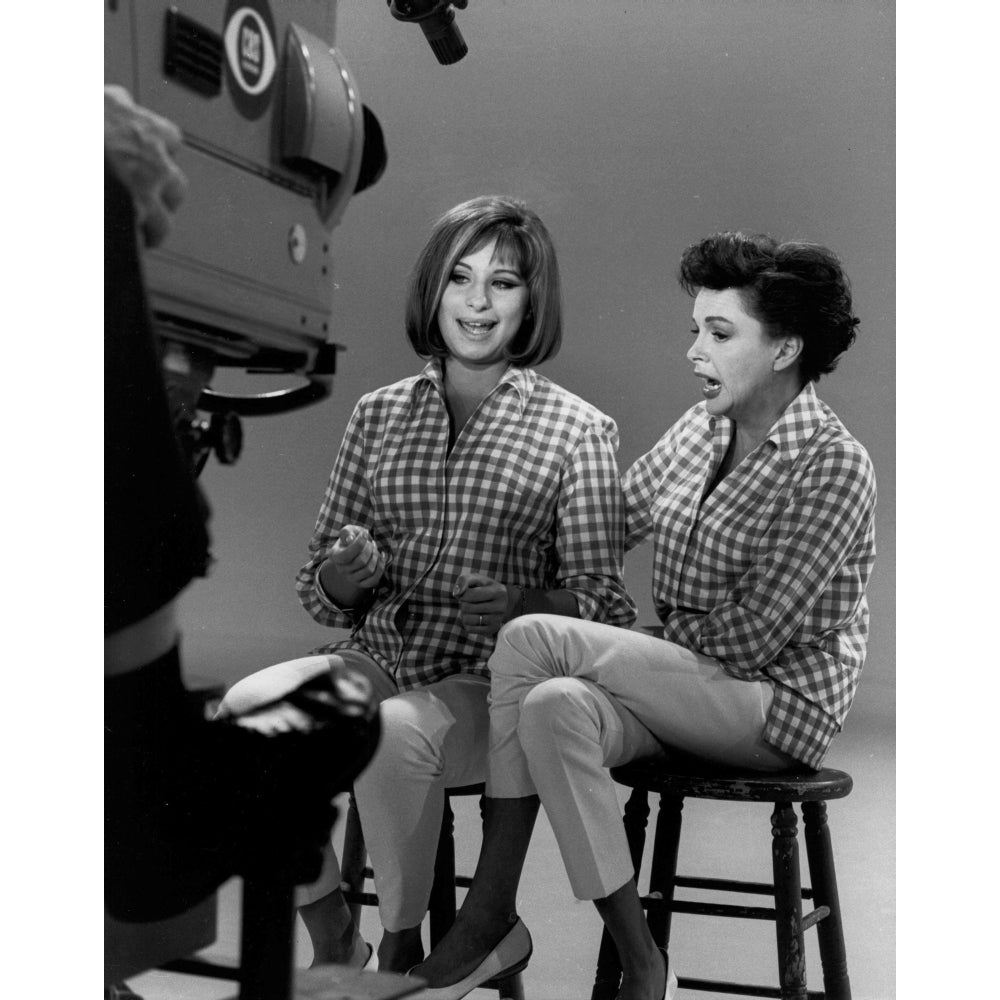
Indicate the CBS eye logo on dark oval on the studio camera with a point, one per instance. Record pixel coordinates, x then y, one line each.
250 55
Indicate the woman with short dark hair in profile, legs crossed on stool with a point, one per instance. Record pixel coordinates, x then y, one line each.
760 504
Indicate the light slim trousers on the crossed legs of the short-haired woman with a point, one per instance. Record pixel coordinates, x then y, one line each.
572 698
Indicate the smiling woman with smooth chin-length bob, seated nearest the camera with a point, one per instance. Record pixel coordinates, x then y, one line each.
461 498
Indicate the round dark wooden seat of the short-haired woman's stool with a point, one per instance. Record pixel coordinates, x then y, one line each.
682 775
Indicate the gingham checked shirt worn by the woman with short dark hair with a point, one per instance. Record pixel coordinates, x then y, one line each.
767 573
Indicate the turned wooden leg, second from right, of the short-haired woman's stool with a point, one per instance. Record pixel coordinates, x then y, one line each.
788 902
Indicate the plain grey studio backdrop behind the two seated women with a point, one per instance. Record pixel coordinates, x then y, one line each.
633 129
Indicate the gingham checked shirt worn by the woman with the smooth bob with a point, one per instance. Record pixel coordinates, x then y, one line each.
529 495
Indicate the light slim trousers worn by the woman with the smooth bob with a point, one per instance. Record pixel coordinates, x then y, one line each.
433 738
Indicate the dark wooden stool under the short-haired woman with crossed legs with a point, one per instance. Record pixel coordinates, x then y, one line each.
678 777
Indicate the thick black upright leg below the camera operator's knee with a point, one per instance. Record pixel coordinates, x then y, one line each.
267 941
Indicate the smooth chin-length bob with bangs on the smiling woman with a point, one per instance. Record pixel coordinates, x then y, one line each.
522 242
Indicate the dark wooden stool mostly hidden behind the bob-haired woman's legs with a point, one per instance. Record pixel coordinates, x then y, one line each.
442 906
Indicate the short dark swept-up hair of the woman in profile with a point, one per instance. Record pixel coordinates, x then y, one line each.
794 288
